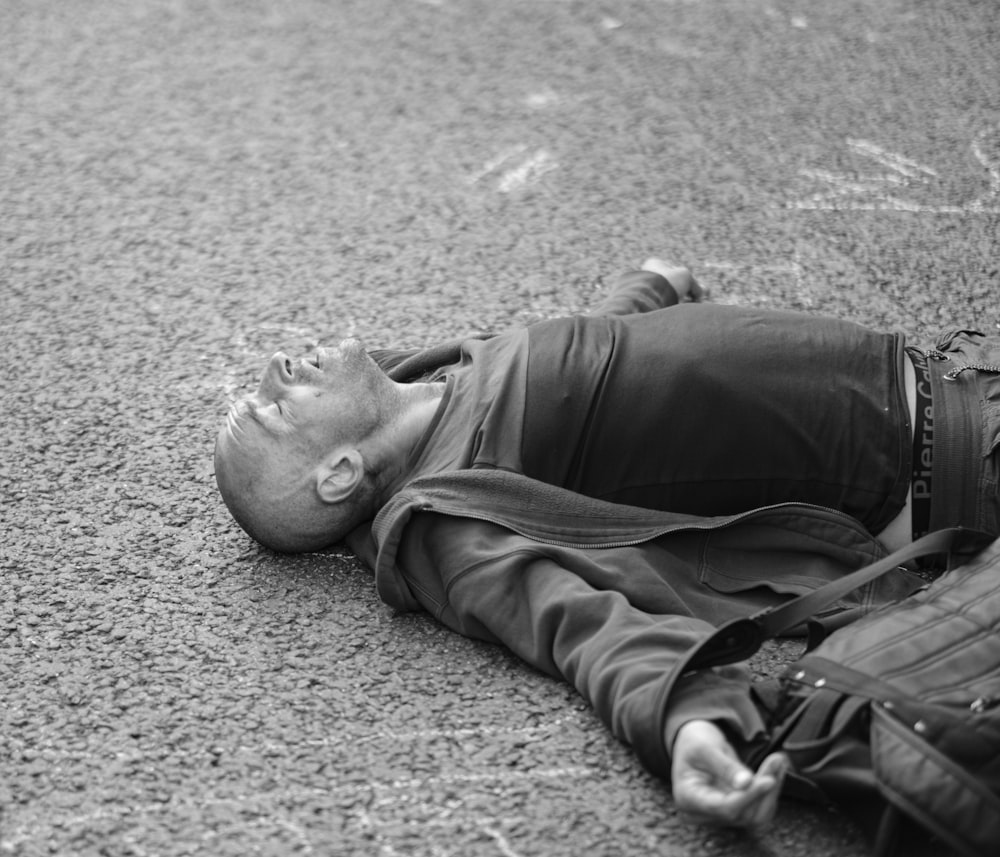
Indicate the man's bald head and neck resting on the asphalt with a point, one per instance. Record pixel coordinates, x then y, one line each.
324 439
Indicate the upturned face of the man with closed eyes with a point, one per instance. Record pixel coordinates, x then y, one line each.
312 404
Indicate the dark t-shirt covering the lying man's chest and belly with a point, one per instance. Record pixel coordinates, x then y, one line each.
699 408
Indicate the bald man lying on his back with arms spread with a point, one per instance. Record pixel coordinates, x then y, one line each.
598 492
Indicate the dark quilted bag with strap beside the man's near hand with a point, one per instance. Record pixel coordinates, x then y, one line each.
895 718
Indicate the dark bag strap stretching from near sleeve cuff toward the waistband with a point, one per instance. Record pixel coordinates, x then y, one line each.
739 639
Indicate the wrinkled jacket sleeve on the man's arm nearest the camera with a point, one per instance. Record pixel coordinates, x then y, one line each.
486 582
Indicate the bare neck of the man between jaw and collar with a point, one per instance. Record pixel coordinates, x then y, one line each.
419 402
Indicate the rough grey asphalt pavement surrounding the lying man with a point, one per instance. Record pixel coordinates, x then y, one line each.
186 187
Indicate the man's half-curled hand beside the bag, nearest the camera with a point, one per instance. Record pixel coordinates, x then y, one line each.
714 786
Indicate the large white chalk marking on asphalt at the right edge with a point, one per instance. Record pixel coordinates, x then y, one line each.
852 192
